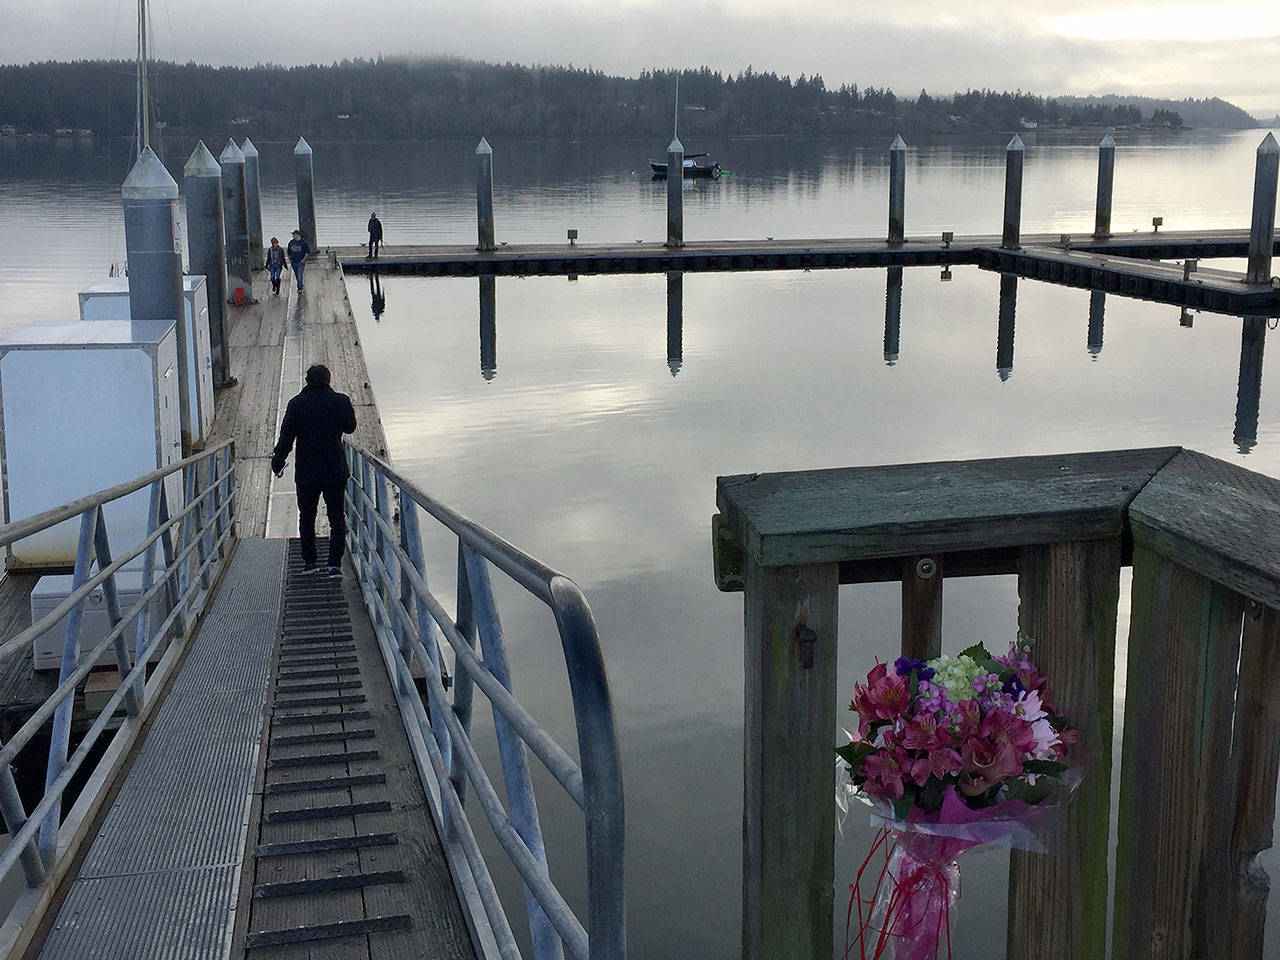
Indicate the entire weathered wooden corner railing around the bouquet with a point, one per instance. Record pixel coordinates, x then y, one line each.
1203 738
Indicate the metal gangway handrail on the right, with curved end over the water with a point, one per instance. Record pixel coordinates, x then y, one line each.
410 624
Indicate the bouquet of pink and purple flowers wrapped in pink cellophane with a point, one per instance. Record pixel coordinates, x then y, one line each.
950 755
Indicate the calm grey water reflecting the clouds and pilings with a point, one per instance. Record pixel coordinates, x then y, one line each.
580 438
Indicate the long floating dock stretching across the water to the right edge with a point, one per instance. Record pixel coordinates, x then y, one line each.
1121 266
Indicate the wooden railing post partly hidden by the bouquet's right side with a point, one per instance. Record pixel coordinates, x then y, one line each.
1068 600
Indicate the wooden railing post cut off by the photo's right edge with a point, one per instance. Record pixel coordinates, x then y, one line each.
1256 757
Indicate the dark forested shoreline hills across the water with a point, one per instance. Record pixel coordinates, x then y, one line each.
401 98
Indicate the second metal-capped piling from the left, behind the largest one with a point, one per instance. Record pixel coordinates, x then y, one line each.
207 249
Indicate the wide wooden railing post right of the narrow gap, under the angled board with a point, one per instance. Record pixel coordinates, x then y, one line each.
1174 828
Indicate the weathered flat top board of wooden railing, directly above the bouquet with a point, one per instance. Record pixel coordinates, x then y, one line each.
927 509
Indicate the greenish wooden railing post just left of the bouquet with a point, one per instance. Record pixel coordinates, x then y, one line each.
789 819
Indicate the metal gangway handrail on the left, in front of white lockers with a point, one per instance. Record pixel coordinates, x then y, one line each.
204 531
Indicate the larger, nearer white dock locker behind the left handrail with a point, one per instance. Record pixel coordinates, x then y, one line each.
85 408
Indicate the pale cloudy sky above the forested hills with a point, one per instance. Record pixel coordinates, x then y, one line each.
1090 47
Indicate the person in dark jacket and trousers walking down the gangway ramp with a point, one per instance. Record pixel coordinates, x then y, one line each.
317 419
